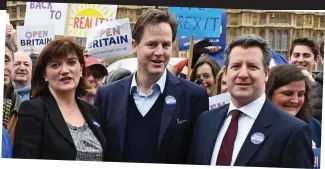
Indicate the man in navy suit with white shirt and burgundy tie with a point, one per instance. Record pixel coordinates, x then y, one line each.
250 131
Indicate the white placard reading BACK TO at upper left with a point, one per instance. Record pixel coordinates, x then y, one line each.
46 13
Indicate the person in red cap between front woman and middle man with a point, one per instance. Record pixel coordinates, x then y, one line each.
95 72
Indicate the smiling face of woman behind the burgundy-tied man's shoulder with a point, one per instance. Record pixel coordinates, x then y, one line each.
290 97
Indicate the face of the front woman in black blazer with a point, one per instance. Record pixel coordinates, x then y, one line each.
63 74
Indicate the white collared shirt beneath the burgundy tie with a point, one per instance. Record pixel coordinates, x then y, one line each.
245 123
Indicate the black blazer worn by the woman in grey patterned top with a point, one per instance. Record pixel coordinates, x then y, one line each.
42 133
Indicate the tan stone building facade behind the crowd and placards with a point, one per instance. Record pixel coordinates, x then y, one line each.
279 28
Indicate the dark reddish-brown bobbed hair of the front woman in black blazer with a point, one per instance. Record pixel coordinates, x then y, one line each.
57 48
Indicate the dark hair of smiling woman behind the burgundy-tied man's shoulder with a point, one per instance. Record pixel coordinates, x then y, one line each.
282 75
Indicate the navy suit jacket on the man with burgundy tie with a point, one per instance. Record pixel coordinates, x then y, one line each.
287 140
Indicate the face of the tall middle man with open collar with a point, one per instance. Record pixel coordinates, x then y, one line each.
154 49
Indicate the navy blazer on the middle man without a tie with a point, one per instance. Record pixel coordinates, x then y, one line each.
177 122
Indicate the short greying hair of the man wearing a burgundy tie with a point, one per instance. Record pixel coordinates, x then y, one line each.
250 40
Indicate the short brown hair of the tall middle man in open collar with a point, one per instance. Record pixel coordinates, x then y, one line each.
152 17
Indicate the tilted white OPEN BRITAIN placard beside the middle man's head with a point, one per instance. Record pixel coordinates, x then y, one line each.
110 40
